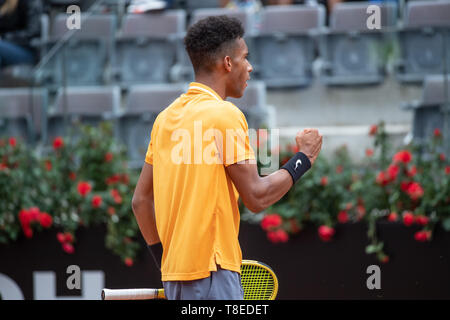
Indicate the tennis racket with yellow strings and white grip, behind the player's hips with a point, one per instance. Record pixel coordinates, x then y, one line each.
258 281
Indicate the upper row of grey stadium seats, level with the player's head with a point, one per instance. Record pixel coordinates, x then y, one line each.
284 42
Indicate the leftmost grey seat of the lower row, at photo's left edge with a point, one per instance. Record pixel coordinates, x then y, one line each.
21 113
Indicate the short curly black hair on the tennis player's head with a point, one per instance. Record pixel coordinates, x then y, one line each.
210 37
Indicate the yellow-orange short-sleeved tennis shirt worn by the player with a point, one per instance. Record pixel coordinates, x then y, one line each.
196 203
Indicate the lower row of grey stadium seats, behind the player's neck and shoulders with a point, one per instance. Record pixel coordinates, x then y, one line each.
37 117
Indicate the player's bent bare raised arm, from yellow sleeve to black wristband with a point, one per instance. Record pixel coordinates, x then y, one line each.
258 193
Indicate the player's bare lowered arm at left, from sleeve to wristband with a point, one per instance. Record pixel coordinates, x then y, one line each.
143 205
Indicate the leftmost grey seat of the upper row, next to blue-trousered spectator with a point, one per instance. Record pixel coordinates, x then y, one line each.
78 57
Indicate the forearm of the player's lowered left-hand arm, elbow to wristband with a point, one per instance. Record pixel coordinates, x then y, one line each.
144 212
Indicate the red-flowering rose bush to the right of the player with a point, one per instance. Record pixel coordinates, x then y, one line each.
411 186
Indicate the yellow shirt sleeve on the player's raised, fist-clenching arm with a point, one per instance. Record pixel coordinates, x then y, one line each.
232 138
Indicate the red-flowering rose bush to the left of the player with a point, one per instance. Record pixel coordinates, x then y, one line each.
72 183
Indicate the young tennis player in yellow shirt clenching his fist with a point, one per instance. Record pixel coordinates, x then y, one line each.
185 202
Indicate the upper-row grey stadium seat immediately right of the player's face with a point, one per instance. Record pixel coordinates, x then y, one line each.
283 49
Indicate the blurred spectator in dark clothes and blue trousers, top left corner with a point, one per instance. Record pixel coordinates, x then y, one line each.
20 23
